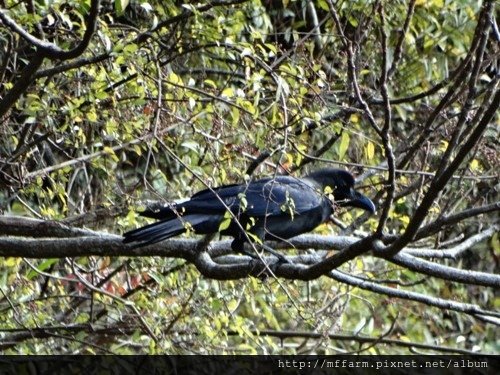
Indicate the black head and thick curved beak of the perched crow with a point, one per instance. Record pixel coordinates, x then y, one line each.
342 184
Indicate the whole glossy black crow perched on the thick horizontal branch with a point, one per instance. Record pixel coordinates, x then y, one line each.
271 208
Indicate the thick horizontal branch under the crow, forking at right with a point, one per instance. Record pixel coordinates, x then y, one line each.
80 242
